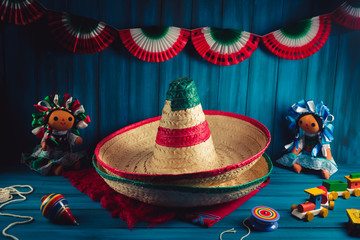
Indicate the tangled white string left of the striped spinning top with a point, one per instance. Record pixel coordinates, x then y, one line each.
6 197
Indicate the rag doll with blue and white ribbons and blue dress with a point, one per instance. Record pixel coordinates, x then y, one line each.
311 146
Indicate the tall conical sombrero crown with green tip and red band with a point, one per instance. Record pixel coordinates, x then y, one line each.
183 141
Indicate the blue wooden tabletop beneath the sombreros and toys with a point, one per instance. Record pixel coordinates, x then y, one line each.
285 188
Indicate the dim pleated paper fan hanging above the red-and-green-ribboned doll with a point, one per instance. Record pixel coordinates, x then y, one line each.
79 34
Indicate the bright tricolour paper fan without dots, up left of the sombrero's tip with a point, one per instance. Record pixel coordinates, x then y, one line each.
154 44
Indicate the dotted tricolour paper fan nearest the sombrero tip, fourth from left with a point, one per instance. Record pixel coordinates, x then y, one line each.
224 46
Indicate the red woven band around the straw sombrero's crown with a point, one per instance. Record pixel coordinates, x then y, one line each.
183 137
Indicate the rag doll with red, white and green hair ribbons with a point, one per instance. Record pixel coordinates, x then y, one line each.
56 122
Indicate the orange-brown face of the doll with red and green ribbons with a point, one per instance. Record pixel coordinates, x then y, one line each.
61 120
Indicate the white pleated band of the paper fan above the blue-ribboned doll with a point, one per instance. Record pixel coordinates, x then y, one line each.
299 42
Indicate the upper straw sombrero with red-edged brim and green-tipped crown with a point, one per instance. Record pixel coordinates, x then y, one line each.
186 146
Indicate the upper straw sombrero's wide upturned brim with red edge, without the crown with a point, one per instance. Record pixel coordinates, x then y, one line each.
238 142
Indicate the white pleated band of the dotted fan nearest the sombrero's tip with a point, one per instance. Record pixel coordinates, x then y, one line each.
225 49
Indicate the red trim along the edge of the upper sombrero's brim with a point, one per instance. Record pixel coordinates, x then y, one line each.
172 177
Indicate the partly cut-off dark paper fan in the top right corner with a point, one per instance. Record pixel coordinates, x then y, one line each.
348 15
